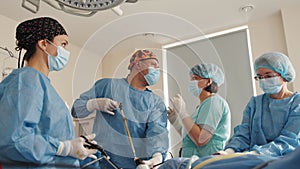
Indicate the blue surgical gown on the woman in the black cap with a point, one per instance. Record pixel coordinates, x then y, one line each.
33 119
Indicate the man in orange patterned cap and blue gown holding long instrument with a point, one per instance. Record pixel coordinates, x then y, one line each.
145 113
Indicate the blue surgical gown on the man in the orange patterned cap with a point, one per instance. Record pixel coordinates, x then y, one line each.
146 116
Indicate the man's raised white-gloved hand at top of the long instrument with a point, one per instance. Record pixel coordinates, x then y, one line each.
102 104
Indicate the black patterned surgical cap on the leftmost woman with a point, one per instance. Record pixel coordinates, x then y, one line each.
31 31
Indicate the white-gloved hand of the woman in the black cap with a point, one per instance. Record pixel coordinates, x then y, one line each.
75 148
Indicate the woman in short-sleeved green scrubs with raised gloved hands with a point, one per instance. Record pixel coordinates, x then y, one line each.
208 128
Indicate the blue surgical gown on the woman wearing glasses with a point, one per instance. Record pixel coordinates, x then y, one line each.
269 126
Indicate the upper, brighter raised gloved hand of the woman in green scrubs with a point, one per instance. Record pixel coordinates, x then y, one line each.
179 106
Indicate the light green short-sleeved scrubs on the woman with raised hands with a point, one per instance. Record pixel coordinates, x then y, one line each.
213 115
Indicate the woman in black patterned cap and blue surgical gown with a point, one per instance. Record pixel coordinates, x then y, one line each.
36 126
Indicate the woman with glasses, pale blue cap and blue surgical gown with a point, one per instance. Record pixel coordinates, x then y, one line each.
270 124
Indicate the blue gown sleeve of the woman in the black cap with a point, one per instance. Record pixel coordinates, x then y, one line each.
27 143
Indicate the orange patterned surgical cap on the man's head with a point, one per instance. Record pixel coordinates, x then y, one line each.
141 55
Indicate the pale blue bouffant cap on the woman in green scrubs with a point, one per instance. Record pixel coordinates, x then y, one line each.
208 70
